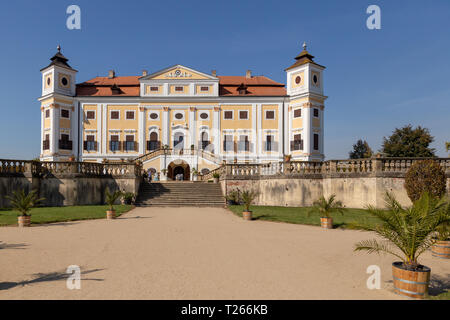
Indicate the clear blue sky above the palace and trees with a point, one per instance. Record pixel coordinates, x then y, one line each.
376 80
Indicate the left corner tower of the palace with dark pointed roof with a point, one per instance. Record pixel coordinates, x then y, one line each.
58 113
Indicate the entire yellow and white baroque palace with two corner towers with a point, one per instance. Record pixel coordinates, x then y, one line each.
180 120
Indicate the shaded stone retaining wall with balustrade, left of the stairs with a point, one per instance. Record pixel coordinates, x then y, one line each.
67 183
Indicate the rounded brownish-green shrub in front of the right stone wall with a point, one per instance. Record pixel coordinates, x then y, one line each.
425 175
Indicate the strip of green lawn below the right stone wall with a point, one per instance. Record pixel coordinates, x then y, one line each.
299 215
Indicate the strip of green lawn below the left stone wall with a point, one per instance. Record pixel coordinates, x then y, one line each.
58 214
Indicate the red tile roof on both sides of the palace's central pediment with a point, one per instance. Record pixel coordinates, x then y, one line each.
129 86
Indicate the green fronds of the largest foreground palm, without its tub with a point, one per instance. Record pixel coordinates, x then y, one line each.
409 231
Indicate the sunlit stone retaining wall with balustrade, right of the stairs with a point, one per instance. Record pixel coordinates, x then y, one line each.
357 183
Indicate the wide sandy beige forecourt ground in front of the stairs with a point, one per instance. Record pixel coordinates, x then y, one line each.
192 253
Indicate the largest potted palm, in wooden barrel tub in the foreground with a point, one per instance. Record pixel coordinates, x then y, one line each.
408 232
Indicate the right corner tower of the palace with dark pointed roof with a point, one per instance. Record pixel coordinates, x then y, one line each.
305 114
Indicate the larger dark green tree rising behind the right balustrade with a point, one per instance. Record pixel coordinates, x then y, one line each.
409 142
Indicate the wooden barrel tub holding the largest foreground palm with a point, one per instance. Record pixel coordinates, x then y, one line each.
413 284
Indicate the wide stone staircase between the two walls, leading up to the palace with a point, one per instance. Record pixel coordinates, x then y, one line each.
180 194
